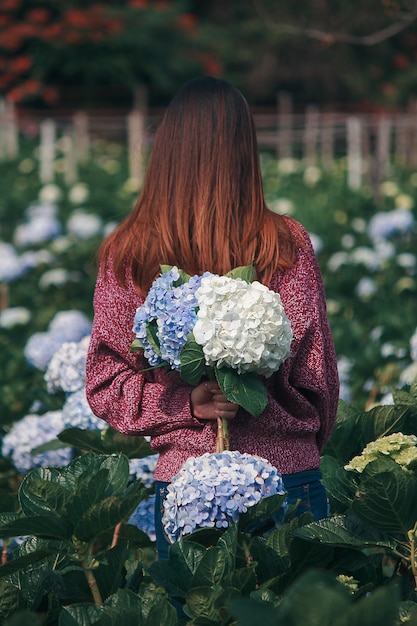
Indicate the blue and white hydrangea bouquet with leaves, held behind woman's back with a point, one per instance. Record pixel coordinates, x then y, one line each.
229 325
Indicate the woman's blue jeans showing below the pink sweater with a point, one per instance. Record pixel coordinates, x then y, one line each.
303 486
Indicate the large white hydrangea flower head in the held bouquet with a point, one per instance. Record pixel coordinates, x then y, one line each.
241 325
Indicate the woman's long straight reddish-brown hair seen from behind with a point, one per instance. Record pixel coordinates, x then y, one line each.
202 206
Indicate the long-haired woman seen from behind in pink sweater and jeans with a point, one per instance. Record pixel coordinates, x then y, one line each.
202 209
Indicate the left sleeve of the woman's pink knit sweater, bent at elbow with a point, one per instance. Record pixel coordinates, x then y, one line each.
119 391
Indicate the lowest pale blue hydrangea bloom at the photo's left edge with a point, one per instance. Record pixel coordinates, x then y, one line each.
31 432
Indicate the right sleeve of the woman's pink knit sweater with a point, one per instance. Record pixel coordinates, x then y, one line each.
305 390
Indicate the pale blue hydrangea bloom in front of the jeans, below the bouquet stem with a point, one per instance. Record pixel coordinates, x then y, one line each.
213 489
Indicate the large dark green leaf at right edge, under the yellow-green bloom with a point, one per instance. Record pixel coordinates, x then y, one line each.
387 497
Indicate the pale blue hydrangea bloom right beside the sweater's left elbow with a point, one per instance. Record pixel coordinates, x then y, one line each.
66 369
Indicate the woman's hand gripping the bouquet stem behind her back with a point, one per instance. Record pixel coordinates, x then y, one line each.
209 403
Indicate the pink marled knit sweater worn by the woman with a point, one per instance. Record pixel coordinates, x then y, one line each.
303 394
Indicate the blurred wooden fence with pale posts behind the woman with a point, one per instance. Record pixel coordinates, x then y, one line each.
371 143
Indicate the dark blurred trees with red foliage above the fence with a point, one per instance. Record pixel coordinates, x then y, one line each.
343 56
